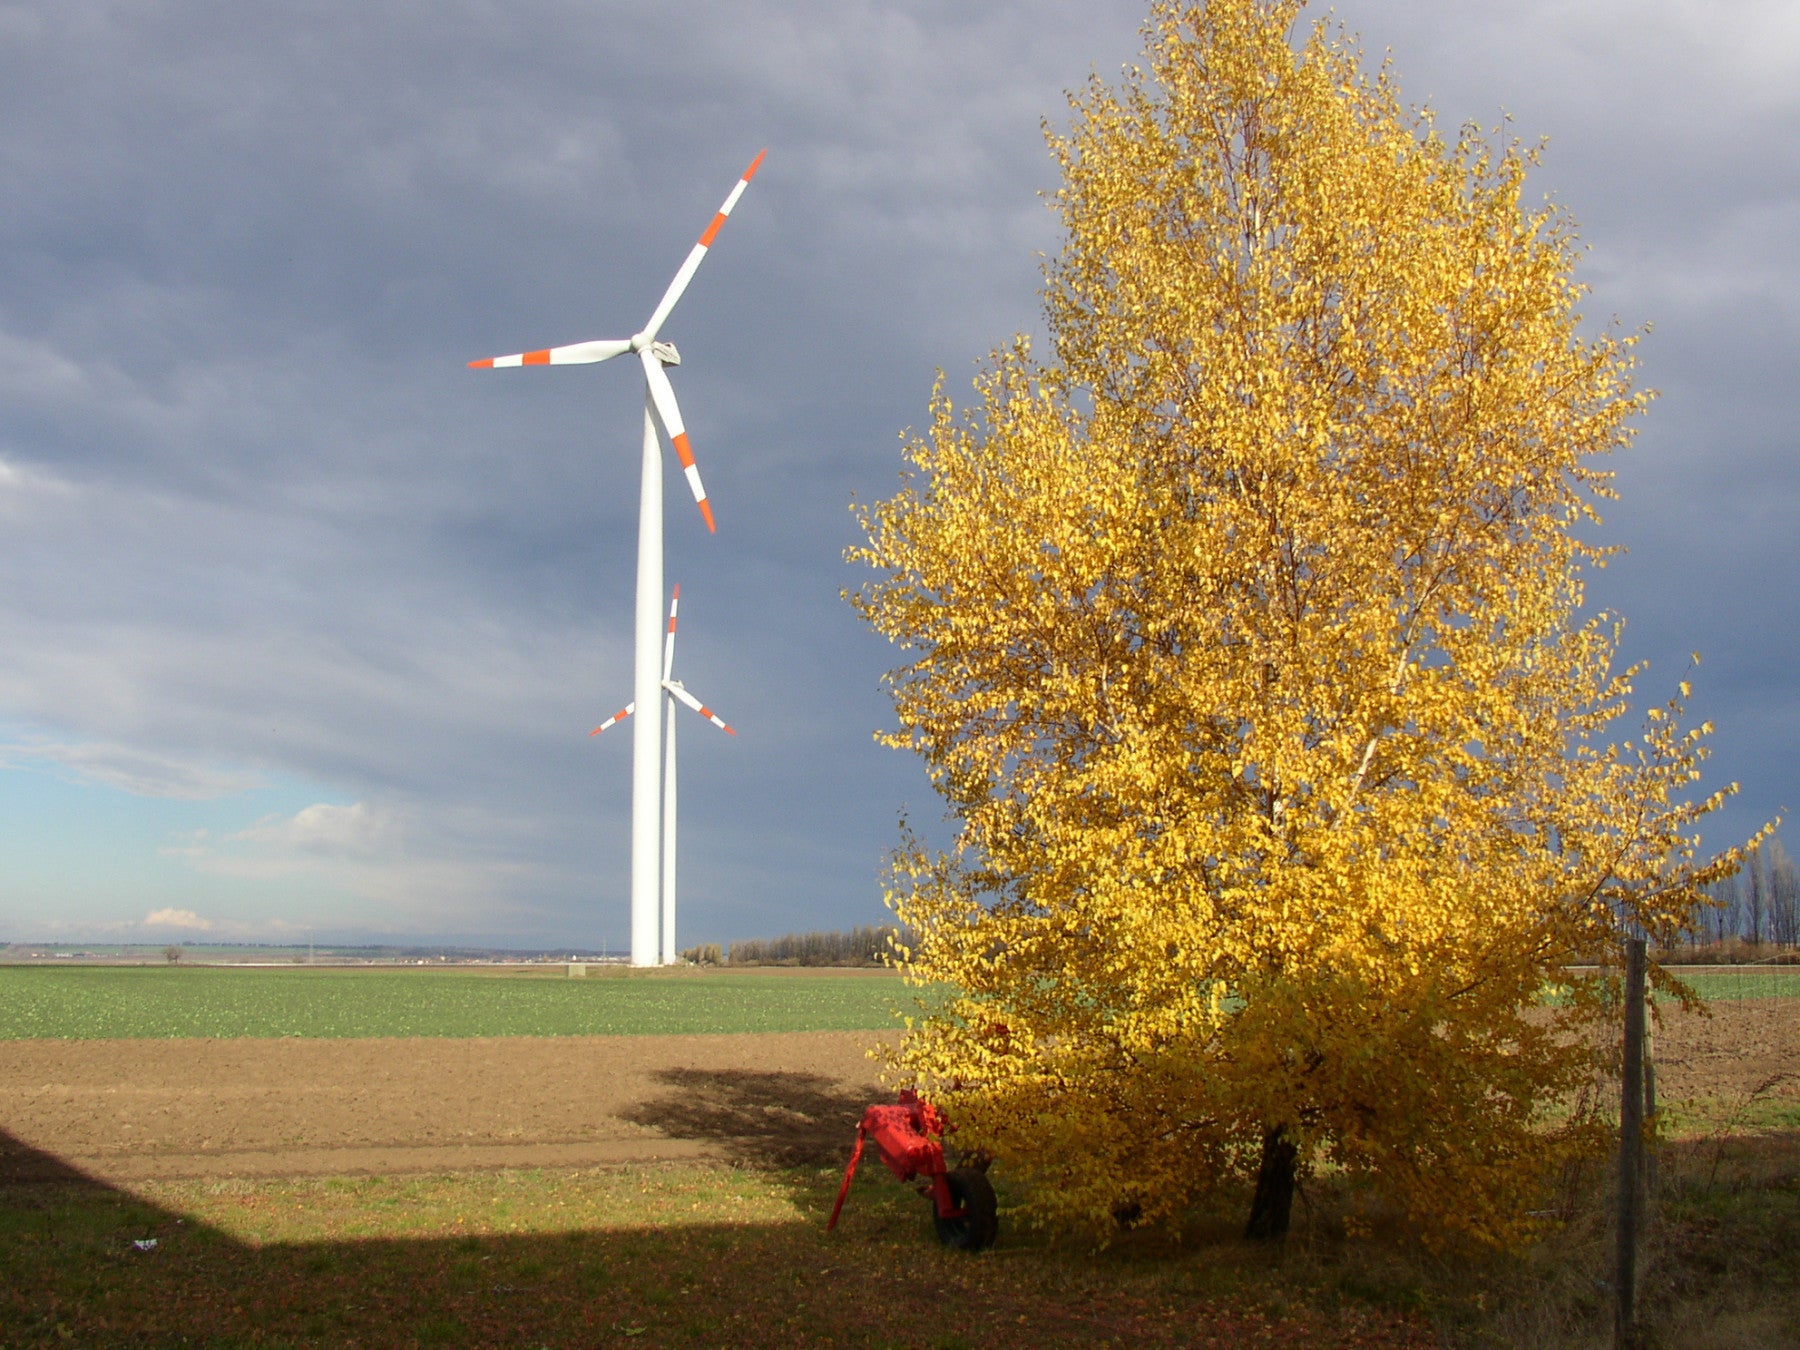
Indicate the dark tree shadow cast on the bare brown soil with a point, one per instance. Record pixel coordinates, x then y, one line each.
759 1119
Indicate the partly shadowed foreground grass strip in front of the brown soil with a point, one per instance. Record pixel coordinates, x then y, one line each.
712 1255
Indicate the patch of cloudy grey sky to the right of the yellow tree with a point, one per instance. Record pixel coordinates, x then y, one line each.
1669 143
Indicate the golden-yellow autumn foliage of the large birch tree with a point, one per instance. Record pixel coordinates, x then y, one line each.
1246 647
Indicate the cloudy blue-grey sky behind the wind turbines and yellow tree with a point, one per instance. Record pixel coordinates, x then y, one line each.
303 624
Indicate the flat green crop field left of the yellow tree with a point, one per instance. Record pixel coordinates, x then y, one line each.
89 1003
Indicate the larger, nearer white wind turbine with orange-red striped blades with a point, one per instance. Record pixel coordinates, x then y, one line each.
660 406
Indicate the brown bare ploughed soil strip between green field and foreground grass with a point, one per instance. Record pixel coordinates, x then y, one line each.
157 1110
